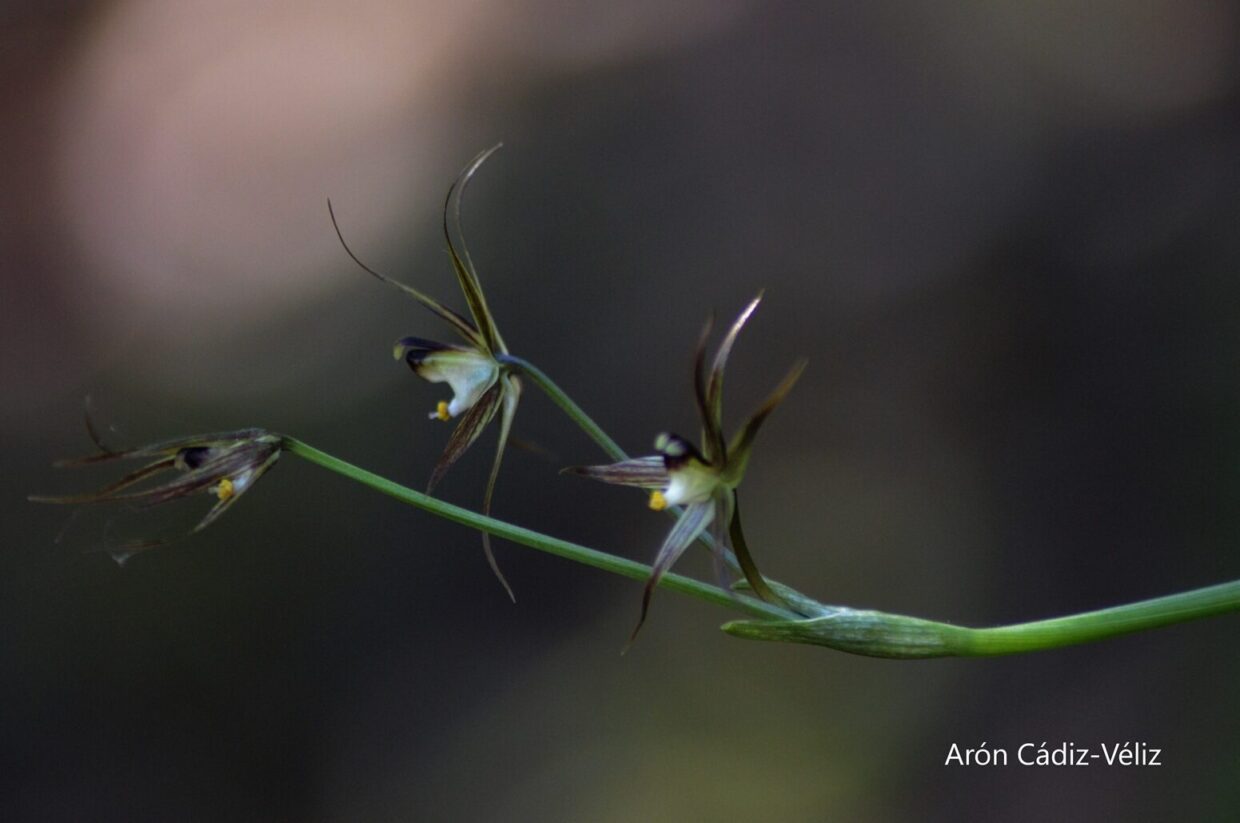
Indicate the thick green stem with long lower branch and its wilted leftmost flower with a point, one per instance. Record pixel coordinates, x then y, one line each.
206 462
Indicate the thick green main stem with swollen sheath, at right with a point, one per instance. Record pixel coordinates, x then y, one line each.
877 634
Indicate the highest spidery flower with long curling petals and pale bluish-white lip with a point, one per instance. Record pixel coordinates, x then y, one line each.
482 385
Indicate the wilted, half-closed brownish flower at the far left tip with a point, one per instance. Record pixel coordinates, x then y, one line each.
225 465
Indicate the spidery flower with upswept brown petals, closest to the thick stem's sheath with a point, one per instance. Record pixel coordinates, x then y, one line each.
702 480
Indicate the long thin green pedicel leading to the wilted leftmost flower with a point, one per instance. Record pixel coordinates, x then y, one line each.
622 567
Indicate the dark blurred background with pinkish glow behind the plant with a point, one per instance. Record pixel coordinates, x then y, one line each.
1005 235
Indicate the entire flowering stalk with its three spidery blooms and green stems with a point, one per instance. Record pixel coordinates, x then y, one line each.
696 484
